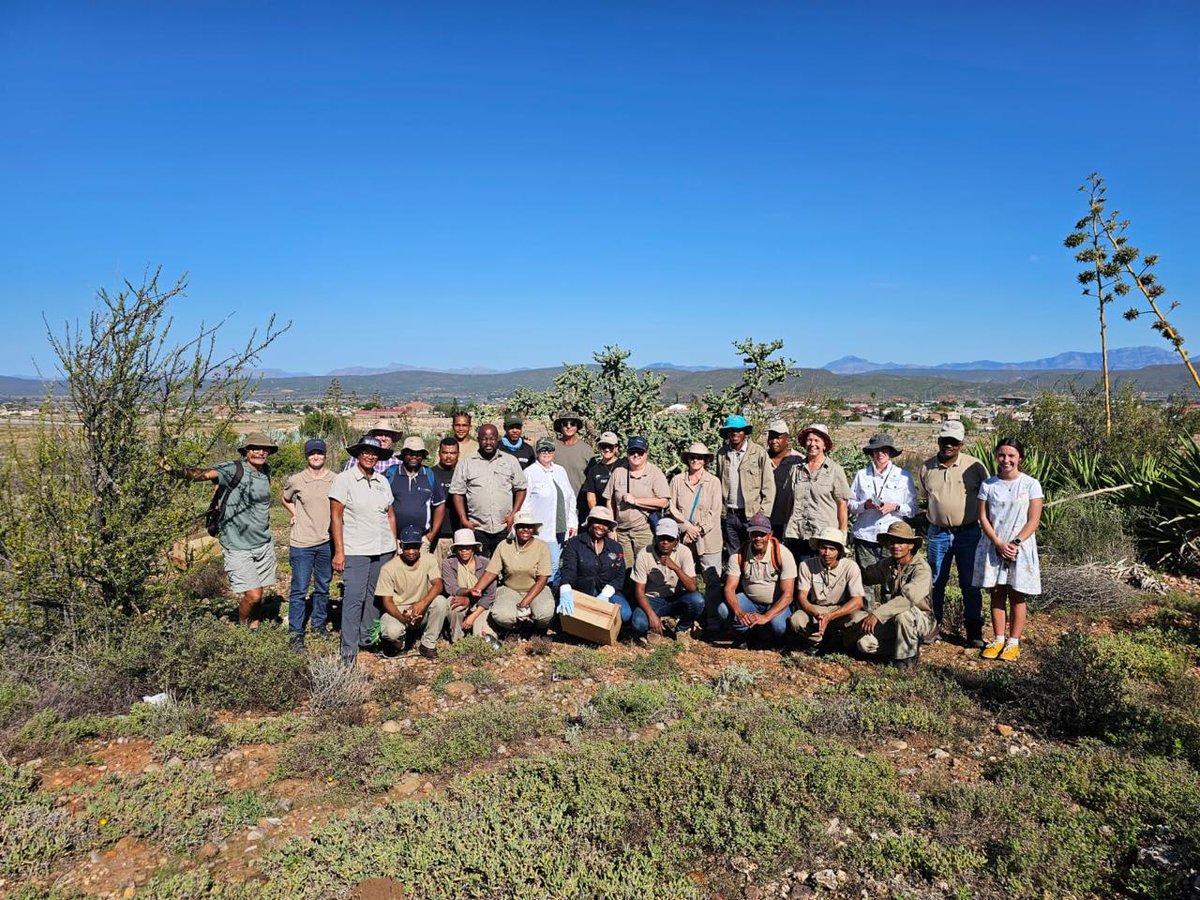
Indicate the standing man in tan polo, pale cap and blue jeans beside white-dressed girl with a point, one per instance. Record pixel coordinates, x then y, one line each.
949 484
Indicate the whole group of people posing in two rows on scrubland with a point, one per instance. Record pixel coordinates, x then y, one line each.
776 544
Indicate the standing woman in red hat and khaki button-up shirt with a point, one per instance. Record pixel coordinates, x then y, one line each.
820 493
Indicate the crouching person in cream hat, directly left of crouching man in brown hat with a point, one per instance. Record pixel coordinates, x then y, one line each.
829 592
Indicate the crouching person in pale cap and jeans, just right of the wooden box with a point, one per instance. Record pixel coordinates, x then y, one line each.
664 580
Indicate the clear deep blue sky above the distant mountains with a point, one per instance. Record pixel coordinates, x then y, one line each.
519 184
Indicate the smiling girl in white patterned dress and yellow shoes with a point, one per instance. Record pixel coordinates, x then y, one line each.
1007 562
